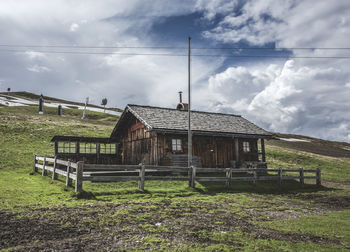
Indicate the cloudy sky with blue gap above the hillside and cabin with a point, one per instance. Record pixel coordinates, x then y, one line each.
304 91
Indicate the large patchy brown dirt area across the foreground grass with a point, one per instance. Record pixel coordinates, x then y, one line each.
130 225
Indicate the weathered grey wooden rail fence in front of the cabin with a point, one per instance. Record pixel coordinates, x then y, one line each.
107 173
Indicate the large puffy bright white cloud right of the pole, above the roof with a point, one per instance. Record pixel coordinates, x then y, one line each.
292 98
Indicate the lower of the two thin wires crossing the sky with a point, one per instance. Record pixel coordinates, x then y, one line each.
183 55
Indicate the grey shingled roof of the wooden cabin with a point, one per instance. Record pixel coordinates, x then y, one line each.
173 120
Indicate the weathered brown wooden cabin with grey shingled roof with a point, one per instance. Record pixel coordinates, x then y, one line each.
158 136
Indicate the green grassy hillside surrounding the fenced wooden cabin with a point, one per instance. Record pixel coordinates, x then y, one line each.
37 213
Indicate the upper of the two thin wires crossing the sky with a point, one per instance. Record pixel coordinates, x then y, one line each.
174 47
